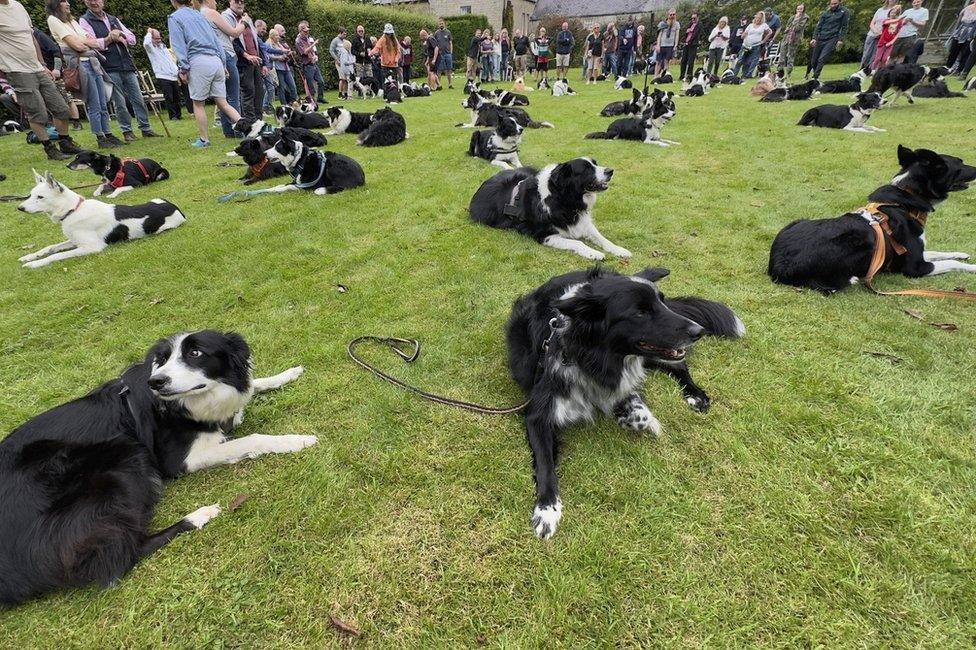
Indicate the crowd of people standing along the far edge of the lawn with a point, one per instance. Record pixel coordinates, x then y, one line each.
242 64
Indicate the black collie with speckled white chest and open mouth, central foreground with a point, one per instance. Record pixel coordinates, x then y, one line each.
583 343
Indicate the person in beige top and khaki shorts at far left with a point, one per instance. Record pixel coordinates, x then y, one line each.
31 82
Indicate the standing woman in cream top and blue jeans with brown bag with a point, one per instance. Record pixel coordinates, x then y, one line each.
78 49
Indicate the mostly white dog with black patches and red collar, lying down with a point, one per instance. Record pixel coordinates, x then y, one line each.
91 225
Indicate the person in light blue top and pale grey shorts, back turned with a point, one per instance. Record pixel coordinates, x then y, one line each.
200 59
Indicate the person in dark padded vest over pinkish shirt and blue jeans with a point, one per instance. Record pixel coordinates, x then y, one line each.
112 39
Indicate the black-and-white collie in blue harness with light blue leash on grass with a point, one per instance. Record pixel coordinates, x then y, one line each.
324 172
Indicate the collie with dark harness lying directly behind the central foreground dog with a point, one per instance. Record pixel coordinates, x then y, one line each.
554 206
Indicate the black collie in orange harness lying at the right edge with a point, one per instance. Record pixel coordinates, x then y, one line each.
830 254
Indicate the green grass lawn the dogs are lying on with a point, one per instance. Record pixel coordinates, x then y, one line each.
825 500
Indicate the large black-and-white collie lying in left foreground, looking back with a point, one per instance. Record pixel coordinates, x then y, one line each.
79 482
